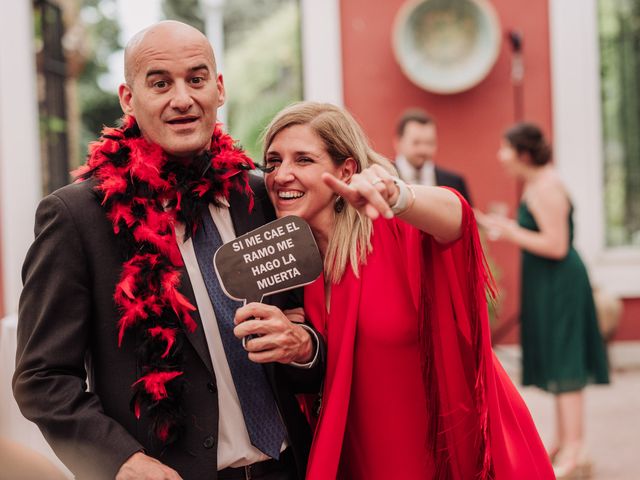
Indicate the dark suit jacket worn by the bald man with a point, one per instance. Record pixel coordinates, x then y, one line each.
67 326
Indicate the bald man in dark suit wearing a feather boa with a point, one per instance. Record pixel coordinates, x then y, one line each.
127 355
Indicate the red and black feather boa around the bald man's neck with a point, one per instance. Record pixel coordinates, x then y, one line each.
145 193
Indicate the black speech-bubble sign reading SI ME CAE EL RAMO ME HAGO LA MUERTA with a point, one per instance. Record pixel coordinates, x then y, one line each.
278 256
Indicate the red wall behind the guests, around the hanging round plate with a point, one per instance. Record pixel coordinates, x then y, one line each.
469 123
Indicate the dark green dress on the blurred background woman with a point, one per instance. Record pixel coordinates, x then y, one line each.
562 349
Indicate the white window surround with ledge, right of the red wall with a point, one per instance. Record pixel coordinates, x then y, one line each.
577 140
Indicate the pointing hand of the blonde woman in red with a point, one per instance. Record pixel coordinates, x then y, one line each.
371 191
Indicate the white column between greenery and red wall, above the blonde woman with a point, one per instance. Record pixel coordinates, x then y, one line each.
322 51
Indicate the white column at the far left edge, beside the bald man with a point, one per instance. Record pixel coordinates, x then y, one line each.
20 174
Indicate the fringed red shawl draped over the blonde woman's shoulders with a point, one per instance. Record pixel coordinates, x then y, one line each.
479 426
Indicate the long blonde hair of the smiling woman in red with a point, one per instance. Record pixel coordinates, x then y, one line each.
343 138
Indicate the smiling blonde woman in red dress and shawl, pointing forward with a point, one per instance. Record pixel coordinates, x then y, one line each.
412 389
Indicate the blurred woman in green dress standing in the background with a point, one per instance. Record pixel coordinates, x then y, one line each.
562 347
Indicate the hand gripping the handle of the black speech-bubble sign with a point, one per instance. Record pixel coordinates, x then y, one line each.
276 336
